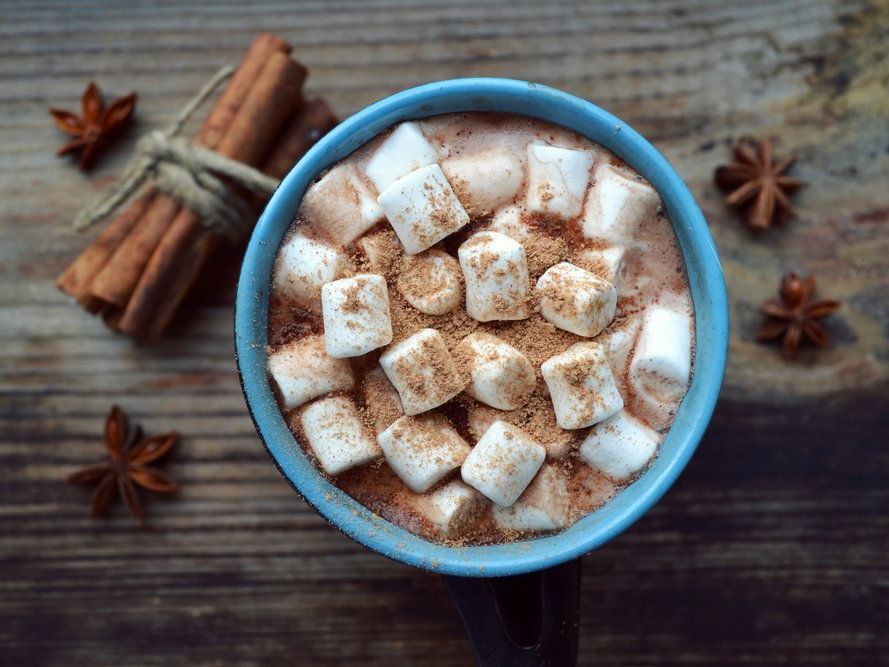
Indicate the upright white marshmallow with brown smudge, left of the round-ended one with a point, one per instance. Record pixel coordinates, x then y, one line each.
356 315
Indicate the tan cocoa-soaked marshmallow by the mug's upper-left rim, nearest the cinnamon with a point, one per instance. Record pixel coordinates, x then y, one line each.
341 204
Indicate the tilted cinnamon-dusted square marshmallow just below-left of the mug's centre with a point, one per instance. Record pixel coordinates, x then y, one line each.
422 370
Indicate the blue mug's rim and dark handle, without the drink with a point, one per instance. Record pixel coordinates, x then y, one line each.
487 604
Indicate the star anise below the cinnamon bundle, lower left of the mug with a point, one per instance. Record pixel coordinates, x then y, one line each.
127 467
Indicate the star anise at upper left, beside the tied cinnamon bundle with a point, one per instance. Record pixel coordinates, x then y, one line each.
95 125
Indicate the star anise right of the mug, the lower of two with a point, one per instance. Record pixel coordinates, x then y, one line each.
794 316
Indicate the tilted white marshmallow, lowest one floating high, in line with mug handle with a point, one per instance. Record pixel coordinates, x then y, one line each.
503 463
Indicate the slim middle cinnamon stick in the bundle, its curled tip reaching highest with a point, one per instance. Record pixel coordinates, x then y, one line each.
115 283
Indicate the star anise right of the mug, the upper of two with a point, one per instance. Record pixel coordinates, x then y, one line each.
756 182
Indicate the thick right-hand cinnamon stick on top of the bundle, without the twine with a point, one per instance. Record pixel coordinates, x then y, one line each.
185 247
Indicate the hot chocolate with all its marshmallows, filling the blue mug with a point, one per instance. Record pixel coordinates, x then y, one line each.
480 326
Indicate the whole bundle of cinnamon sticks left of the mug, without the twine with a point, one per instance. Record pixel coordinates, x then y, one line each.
140 268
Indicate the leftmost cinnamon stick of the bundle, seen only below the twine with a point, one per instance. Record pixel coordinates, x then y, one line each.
78 277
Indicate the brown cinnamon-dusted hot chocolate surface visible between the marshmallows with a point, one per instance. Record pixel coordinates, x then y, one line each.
651 274
